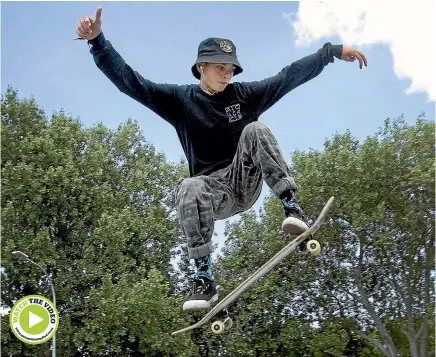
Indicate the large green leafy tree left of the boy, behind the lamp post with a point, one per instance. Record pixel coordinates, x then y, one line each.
95 207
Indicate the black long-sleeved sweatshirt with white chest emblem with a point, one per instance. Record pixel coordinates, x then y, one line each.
209 127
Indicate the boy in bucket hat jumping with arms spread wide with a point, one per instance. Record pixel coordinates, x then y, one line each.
229 151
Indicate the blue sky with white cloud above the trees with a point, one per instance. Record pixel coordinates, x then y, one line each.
160 41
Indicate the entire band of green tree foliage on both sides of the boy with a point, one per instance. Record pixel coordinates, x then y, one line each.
95 207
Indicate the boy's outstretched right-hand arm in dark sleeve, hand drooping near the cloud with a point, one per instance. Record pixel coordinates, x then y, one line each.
265 93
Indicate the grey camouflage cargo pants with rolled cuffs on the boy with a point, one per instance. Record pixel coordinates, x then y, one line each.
201 200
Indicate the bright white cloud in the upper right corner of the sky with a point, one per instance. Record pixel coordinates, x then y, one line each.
408 28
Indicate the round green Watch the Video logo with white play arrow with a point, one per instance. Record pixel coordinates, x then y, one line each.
34 319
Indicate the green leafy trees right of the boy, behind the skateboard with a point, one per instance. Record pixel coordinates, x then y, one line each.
374 275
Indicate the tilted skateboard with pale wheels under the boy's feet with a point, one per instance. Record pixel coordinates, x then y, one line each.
220 309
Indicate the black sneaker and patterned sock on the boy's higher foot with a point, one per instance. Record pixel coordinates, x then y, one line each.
295 222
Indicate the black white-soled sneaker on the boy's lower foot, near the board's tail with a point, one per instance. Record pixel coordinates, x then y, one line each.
204 295
